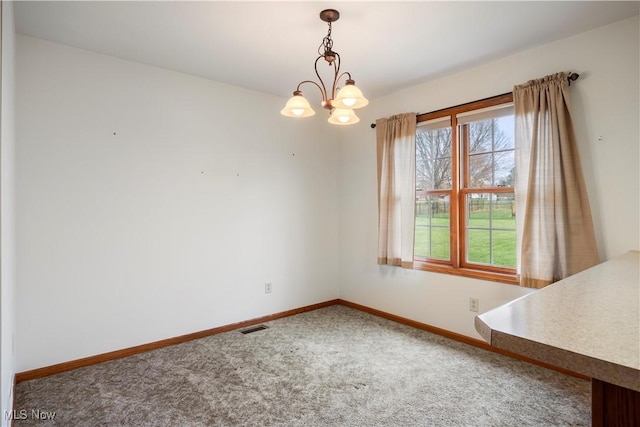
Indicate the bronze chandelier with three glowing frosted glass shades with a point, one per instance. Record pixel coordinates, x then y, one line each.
340 104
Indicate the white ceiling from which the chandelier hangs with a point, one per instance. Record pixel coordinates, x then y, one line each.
271 46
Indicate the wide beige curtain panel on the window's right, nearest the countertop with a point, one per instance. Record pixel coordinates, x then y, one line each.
556 236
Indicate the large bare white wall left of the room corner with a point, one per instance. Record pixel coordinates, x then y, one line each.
153 204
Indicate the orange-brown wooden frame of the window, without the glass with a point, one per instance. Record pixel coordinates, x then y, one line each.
457 265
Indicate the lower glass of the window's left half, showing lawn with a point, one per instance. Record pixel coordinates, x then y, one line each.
432 226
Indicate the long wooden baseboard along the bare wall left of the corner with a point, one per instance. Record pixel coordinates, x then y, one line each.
117 354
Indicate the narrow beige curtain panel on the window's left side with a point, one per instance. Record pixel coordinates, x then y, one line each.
396 147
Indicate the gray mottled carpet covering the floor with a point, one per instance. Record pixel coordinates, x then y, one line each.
330 367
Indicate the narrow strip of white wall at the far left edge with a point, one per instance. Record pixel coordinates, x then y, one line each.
7 213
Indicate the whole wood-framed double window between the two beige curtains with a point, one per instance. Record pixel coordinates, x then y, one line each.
465 205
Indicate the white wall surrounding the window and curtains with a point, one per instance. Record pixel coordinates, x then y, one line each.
605 103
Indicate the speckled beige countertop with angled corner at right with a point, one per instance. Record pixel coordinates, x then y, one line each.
588 323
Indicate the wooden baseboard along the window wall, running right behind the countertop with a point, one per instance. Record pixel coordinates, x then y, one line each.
458 337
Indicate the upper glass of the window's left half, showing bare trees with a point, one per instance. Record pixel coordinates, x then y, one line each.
433 158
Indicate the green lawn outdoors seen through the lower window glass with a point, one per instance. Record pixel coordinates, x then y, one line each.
432 239
